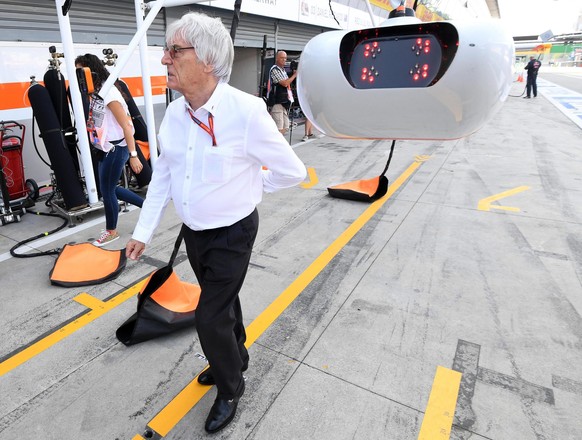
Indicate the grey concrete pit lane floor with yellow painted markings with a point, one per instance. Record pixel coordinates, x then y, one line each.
450 308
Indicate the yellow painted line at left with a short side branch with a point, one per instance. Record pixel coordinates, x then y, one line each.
98 308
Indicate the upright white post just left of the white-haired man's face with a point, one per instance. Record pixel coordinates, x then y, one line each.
147 85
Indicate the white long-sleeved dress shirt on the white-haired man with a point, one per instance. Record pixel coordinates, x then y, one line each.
215 186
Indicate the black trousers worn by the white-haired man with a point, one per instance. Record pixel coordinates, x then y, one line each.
220 258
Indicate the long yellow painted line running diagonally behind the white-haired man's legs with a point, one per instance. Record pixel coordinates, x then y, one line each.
179 406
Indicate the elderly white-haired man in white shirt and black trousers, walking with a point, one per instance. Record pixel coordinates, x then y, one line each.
219 151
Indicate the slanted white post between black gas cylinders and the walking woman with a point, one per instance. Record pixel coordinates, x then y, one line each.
76 99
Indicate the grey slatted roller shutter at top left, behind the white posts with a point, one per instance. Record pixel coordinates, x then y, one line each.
102 22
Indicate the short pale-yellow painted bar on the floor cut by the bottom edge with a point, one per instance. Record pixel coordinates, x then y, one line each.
440 410
